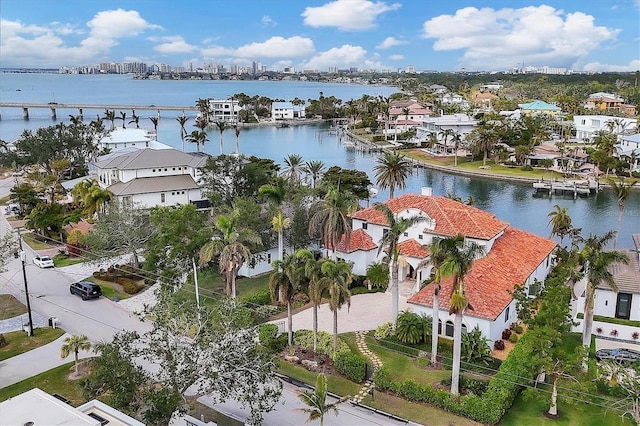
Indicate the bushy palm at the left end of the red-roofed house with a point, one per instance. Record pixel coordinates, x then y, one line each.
330 217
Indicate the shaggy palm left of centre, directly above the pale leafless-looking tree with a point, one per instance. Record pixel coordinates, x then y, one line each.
232 246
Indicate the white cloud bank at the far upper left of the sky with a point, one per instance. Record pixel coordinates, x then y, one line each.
41 45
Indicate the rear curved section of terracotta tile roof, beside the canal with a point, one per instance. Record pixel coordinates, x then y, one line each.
452 217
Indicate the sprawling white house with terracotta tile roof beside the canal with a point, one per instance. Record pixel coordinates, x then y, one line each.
512 257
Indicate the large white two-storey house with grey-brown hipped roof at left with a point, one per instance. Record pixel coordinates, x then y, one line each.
150 177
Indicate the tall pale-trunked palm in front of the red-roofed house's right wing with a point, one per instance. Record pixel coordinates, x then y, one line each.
457 265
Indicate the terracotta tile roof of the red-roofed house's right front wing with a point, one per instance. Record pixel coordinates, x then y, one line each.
513 258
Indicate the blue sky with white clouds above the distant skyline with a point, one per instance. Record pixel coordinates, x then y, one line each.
480 35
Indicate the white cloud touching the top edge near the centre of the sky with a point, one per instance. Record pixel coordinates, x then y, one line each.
347 15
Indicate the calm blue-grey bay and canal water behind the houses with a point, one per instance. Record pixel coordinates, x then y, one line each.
514 203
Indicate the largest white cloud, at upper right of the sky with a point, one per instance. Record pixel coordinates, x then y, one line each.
498 39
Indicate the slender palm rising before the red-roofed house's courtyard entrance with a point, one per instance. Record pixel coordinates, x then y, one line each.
389 243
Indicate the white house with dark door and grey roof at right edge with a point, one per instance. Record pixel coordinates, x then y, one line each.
623 304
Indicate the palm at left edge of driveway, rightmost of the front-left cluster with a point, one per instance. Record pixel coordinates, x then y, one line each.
336 277
